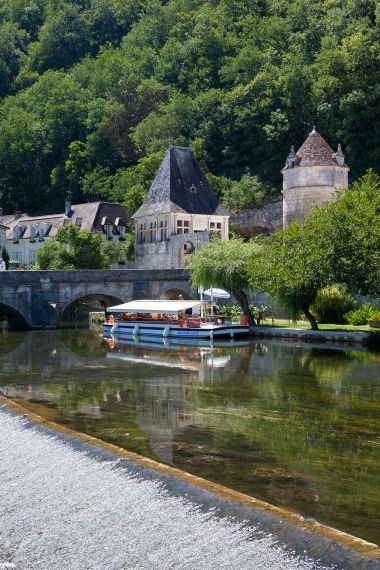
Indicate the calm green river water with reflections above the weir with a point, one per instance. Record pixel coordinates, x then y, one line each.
295 425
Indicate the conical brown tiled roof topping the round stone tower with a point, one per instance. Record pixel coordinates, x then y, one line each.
315 151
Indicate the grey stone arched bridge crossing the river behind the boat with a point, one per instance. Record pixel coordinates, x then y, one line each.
38 299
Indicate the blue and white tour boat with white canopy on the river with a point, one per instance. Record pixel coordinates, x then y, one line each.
168 319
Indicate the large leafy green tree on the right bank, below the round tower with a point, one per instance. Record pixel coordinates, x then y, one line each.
339 243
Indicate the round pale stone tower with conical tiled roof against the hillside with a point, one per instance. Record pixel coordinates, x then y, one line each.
311 177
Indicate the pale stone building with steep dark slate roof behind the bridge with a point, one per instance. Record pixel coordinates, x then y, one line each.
179 213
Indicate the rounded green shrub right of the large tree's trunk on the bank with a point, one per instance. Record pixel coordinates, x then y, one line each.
332 303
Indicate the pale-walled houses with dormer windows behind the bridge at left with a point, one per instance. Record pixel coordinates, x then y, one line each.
26 234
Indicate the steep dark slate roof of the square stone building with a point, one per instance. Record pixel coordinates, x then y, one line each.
180 186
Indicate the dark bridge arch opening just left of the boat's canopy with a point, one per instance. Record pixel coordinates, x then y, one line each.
77 311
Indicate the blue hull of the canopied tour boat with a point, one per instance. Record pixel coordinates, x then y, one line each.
170 331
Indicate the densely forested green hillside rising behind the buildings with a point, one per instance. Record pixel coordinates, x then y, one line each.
92 90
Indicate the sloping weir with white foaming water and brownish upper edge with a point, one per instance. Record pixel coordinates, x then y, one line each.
75 489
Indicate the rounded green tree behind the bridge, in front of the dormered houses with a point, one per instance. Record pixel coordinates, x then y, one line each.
73 248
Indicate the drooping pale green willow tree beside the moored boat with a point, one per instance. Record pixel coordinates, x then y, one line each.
225 264
